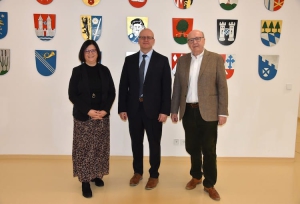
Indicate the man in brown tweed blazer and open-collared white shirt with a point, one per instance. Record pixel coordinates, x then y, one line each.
201 96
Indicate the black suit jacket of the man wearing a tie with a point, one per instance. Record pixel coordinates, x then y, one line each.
156 90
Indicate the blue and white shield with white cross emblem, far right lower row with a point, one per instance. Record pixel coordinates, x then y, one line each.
267 66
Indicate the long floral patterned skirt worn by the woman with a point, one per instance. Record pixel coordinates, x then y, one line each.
91 147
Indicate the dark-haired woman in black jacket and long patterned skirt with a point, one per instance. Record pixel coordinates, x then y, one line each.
92 92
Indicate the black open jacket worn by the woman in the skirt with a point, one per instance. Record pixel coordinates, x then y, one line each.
79 91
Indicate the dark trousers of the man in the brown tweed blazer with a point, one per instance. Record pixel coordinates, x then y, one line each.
201 140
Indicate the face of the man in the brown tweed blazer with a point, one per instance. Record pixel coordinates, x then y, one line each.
196 42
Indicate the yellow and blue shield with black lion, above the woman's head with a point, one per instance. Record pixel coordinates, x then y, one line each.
91 27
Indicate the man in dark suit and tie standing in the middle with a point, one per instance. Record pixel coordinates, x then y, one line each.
145 99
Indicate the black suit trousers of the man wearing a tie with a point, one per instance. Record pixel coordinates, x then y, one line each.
137 127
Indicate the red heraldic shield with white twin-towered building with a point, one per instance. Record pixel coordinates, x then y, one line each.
44 25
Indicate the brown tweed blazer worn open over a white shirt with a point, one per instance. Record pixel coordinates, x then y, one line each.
212 86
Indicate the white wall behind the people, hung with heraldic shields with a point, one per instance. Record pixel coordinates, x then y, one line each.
35 113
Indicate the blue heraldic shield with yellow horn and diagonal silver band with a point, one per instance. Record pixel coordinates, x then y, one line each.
45 61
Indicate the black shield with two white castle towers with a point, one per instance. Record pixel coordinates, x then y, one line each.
226 31
